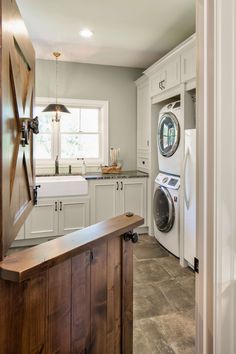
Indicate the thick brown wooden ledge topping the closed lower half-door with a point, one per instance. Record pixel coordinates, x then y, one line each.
23 265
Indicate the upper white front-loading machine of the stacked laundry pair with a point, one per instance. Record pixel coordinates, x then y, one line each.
169 140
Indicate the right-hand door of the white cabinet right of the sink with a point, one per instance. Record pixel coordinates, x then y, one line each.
133 196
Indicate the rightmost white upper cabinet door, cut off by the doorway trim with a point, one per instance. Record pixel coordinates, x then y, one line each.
188 64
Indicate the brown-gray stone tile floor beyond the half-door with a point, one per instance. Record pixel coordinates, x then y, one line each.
164 301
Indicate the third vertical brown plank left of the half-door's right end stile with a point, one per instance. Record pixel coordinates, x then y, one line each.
80 331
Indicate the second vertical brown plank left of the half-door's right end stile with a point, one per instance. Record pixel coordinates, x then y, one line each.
99 300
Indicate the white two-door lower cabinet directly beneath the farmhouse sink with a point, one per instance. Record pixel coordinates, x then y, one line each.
55 217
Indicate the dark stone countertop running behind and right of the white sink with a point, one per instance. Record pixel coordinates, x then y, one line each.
99 175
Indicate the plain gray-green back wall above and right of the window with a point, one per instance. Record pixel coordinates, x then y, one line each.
98 82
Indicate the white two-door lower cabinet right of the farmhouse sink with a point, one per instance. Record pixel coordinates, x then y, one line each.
113 197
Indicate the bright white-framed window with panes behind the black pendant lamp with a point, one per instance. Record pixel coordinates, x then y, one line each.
81 134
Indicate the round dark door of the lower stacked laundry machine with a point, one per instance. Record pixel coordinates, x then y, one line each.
163 209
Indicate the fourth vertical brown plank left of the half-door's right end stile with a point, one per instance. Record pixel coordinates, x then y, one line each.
59 308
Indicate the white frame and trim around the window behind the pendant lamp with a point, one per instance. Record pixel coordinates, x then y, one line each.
56 136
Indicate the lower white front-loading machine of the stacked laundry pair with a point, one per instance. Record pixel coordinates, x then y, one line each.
166 212
